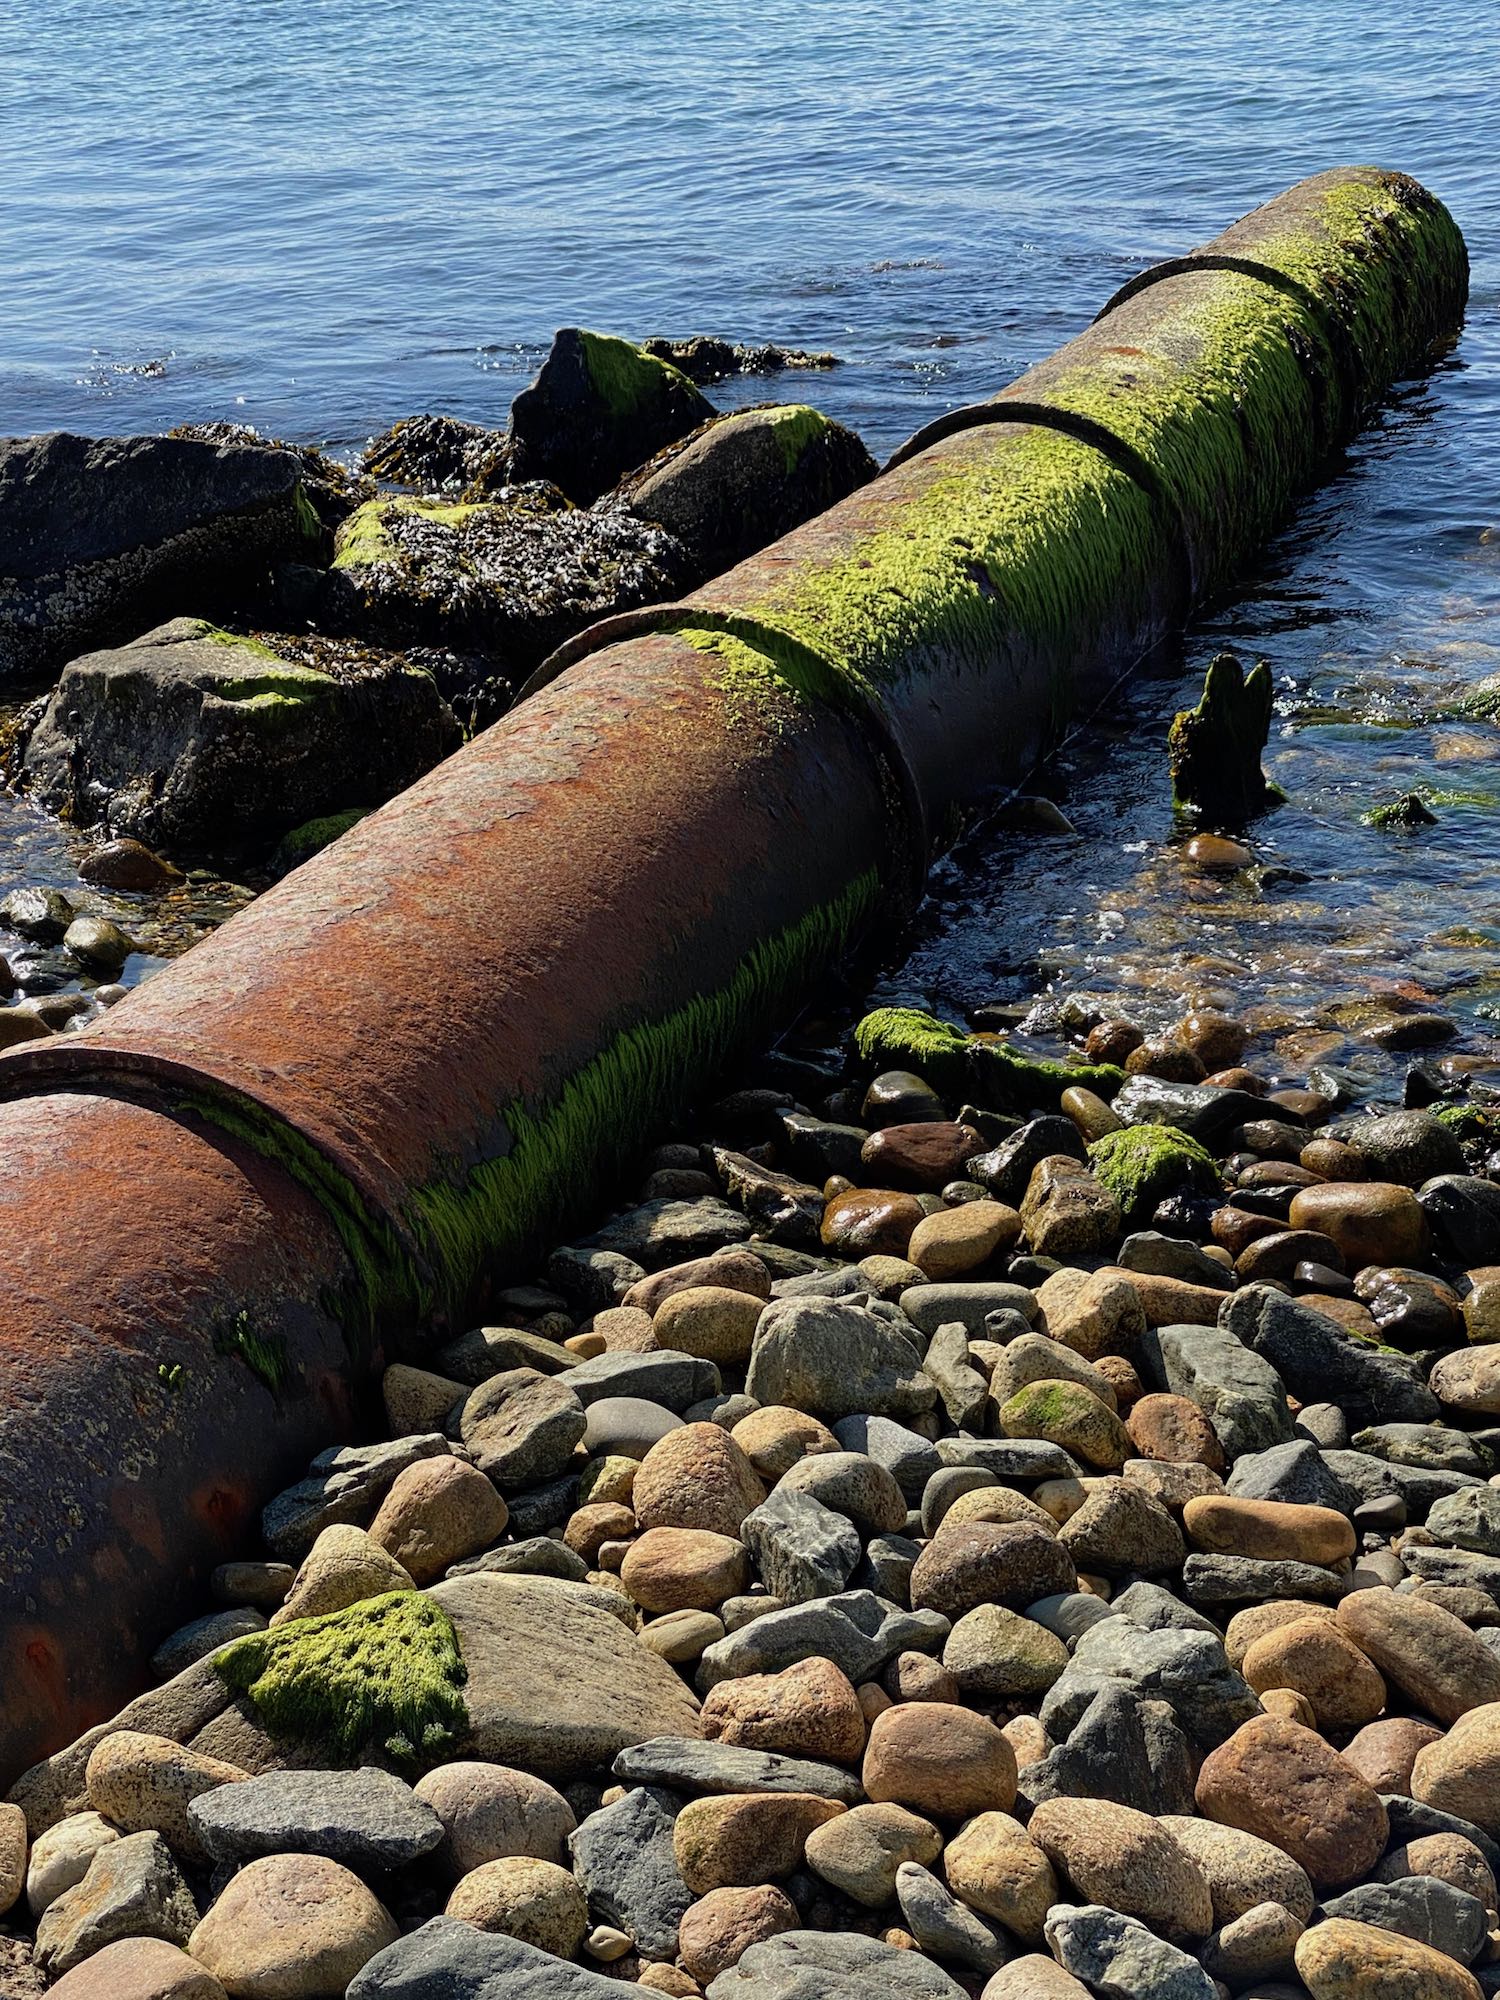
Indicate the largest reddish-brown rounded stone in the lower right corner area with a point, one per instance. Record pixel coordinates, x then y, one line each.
1287 1785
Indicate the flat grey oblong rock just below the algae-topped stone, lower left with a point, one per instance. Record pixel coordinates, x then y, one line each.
365 1819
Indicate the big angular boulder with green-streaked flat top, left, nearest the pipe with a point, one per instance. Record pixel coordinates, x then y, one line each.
195 739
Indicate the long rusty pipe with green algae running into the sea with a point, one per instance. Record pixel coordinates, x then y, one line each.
433 1045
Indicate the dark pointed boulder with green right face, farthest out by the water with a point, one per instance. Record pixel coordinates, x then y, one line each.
599 409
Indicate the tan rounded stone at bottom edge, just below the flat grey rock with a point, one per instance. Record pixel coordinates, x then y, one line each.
289 1929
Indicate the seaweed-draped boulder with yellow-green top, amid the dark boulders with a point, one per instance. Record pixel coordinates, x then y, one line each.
507 579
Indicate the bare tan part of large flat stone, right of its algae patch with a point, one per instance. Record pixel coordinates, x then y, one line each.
555 1683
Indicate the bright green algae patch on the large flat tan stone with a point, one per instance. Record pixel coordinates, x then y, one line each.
383 1673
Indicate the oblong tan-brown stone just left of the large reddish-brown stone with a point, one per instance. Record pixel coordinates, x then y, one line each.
1127 1861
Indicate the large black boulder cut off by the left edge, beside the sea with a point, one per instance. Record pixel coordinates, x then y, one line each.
101 537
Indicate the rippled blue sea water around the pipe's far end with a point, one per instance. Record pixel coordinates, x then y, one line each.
319 217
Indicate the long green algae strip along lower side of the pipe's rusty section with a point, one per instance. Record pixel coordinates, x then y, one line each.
563 1153
